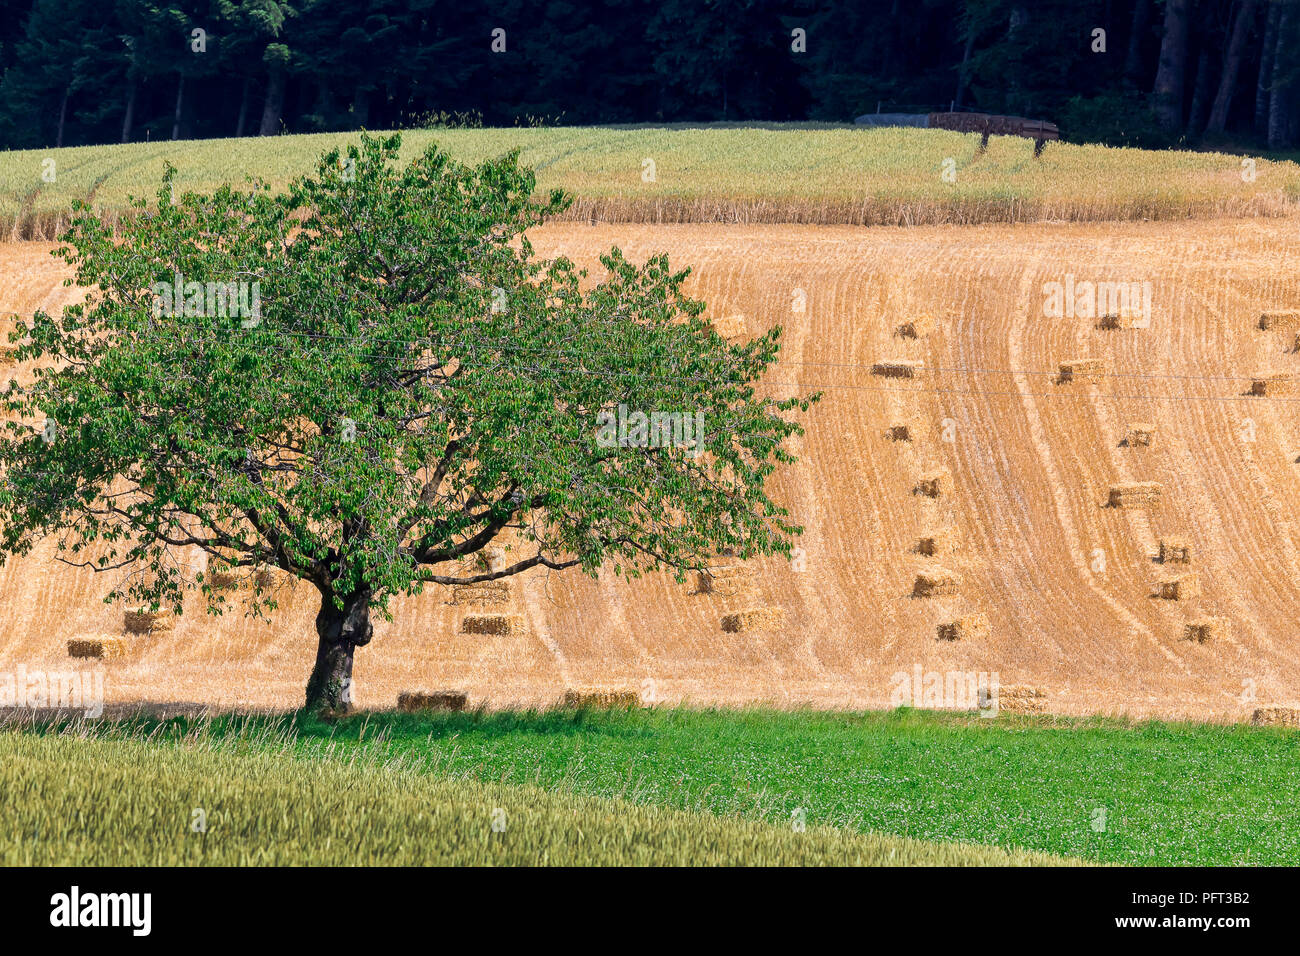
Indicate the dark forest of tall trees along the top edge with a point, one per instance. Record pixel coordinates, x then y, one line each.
1137 72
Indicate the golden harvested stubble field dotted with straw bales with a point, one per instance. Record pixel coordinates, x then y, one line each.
1067 586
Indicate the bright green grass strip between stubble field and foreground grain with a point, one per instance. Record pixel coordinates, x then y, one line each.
1095 790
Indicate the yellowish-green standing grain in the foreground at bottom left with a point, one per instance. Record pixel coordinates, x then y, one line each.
67 801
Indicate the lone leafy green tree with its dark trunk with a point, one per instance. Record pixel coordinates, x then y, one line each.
367 380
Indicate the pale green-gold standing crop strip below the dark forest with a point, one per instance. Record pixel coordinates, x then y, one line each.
765 174
